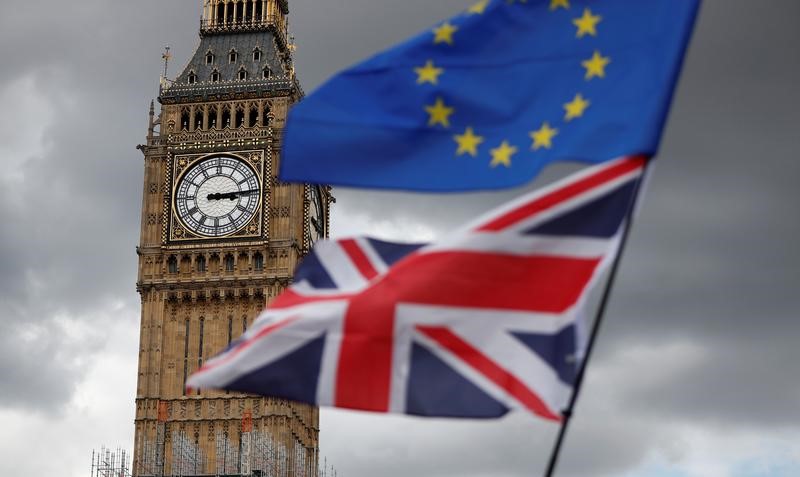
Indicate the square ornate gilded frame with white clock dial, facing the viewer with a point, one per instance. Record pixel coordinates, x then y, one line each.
217 196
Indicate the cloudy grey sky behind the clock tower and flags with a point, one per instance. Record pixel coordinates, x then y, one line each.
696 373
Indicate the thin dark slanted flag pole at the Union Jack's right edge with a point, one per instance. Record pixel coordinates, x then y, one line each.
601 309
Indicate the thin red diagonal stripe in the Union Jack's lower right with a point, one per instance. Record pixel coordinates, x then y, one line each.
489 369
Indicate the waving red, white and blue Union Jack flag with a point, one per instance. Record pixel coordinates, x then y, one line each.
480 323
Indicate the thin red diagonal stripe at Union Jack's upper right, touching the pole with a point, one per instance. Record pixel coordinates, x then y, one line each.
565 193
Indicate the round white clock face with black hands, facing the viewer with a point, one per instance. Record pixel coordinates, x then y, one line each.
217 196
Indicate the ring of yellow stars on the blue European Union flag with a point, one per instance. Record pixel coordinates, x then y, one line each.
469 142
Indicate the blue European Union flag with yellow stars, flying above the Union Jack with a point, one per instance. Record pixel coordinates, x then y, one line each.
489 97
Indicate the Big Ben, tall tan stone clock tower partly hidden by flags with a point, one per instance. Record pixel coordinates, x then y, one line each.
220 236
